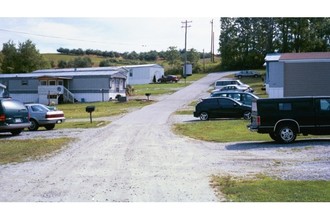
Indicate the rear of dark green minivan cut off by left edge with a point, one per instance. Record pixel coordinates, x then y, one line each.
14 117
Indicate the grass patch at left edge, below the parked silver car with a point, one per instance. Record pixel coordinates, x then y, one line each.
17 151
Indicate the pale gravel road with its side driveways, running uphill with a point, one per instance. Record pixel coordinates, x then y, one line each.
137 158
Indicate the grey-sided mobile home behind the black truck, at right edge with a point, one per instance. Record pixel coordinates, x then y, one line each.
298 74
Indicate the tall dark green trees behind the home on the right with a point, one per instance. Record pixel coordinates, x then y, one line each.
244 42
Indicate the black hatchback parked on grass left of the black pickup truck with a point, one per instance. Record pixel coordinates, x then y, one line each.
221 107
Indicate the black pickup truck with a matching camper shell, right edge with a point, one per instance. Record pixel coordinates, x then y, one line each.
284 118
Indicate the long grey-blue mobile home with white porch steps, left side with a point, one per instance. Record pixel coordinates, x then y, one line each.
67 85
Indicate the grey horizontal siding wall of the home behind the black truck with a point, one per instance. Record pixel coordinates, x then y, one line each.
306 79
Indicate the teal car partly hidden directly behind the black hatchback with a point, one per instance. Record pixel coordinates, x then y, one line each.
243 97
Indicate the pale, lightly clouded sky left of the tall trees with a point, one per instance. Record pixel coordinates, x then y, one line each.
121 34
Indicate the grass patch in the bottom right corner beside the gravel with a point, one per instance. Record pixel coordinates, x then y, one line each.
267 189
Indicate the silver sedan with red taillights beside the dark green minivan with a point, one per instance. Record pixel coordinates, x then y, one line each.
43 116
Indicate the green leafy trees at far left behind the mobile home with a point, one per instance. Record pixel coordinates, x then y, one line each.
23 58
